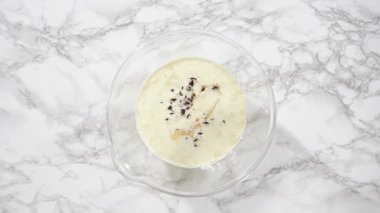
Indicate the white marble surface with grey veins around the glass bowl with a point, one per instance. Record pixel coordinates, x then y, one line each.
57 60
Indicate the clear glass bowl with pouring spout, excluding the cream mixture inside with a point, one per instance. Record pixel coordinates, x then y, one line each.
130 154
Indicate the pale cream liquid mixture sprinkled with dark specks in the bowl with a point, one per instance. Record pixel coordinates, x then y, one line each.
191 112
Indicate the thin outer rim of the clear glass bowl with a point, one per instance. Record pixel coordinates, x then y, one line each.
272 115
